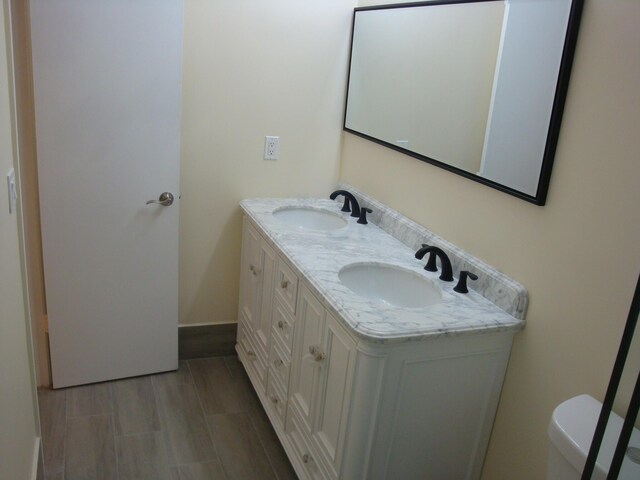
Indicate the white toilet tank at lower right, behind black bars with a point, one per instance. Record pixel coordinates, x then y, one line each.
571 429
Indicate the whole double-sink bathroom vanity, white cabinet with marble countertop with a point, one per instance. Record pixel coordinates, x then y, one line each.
358 385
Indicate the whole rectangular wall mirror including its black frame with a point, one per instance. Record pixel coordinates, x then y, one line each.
474 86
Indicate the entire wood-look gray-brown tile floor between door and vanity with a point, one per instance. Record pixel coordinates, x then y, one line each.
201 422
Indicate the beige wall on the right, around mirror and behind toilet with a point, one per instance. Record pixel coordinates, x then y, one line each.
578 256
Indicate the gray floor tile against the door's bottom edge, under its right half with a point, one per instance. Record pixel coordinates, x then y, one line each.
134 406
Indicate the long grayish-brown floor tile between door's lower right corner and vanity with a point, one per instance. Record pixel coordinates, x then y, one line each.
183 425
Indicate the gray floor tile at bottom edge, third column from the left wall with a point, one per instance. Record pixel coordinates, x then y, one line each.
142 457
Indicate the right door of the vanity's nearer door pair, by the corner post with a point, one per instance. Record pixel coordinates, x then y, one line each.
333 404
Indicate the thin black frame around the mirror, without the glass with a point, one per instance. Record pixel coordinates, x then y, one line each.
553 133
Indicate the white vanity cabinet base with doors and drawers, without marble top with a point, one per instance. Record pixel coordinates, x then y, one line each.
347 408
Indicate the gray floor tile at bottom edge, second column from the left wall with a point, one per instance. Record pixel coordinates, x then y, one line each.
90 450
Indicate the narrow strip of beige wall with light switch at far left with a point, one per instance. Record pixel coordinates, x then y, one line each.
18 417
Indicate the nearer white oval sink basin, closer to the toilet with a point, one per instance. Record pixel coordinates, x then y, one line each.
390 285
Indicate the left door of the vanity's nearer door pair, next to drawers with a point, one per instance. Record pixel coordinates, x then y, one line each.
307 370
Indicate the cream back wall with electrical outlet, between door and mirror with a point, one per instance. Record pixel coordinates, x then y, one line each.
251 69
